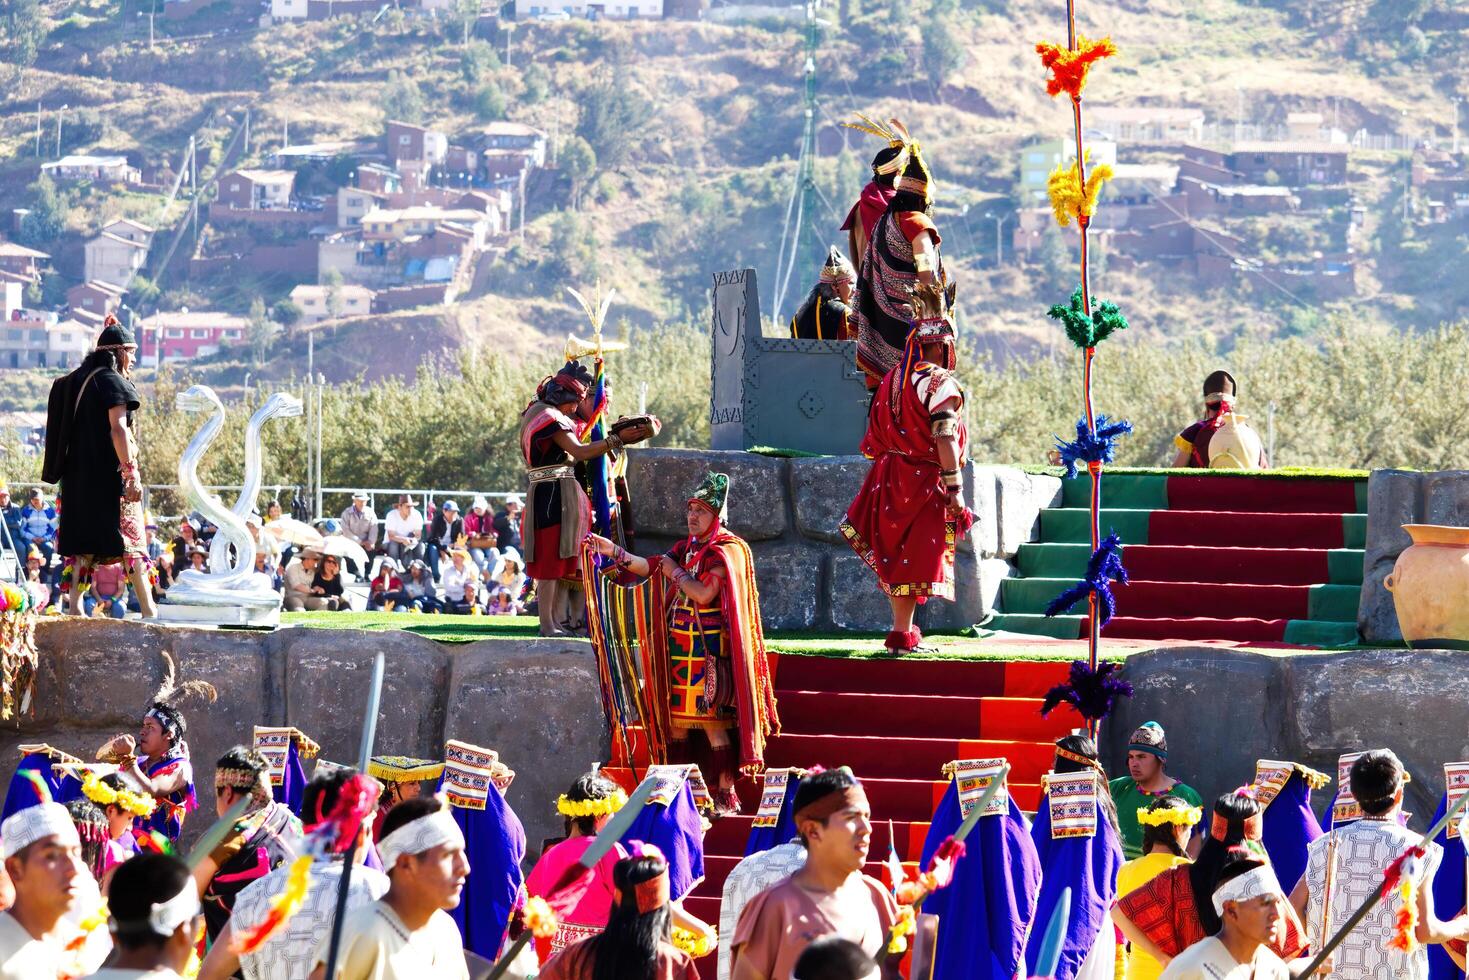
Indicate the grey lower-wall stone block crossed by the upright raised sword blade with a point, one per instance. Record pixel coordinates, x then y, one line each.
334 668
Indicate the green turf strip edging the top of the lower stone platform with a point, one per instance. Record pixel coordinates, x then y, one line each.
465 630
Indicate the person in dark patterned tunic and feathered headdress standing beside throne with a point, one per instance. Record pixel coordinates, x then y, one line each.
901 255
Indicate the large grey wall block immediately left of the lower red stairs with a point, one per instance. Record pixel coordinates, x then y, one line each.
537 705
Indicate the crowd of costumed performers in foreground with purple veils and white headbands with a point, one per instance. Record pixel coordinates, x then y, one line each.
440 881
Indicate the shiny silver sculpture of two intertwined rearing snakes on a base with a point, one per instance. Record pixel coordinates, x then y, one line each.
230 583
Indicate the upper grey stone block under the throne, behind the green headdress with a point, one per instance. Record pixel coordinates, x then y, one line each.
663 480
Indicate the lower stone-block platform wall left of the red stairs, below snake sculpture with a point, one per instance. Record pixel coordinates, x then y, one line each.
533 702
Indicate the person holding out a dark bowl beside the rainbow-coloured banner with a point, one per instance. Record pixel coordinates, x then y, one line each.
559 514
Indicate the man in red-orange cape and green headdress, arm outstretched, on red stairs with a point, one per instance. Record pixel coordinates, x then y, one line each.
718 678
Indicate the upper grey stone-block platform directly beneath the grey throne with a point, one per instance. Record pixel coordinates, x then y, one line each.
790 511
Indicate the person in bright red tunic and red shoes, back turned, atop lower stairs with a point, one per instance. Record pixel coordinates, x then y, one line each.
907 518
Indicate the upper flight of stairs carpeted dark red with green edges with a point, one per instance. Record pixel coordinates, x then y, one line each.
1245 559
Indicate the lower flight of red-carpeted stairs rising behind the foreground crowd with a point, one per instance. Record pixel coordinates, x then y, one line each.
897 724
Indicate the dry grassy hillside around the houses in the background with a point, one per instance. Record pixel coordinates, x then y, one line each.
701 181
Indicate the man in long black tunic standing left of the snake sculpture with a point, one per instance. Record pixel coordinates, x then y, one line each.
102 491
